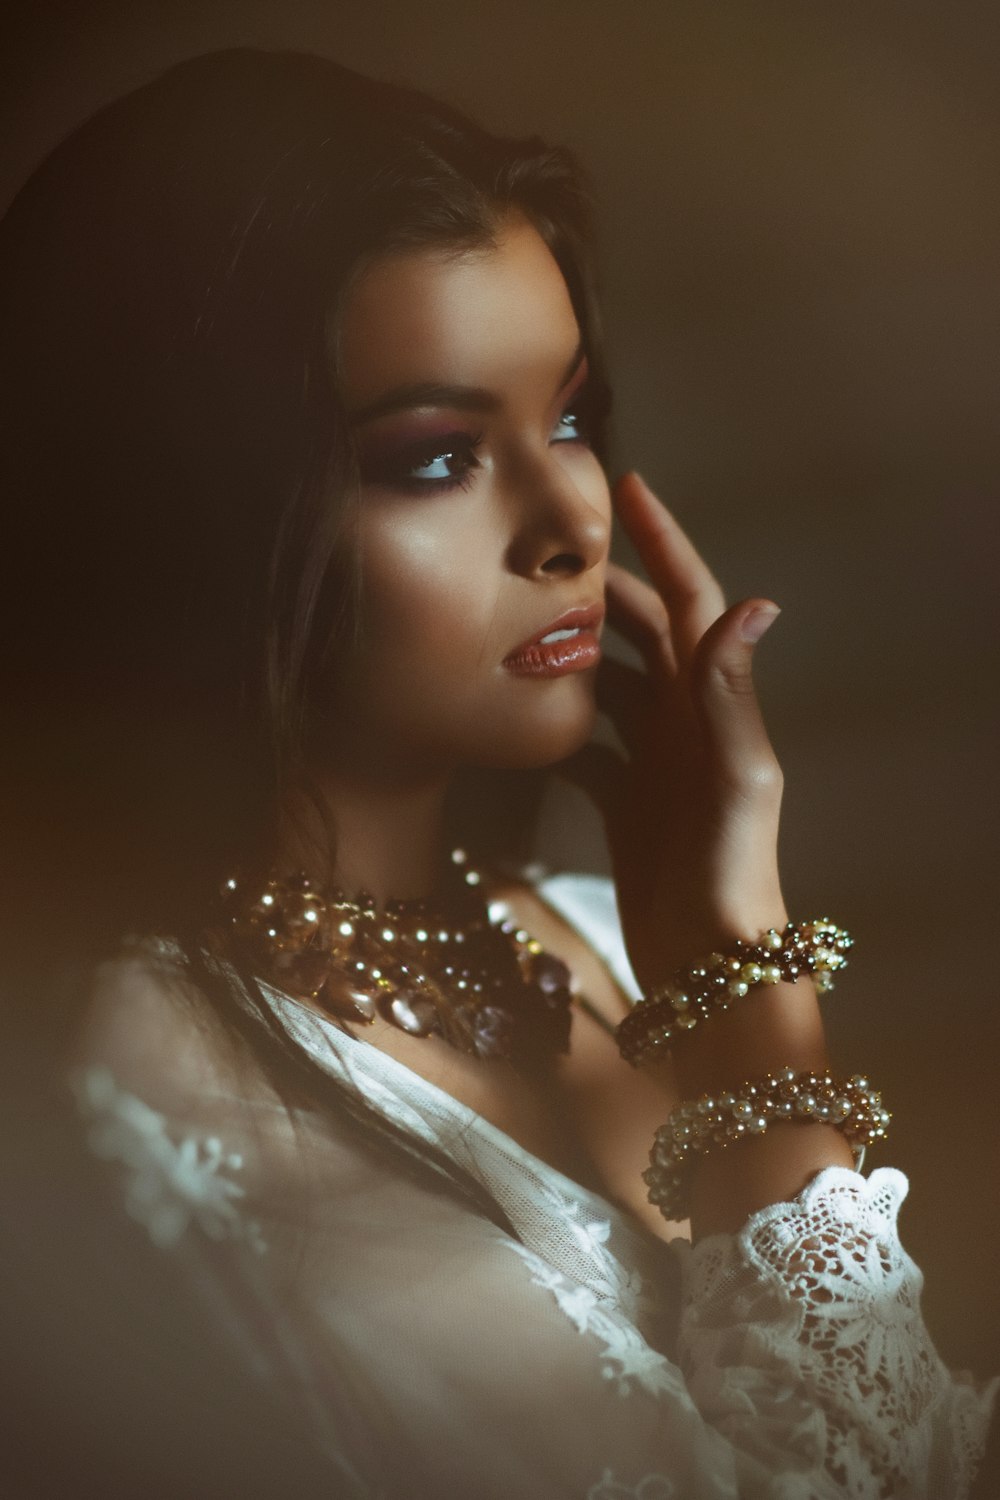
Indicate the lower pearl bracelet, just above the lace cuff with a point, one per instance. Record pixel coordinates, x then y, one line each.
699 1126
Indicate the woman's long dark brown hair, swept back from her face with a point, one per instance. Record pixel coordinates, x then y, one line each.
179 475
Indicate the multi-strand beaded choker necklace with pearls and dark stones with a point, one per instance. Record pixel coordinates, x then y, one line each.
430 968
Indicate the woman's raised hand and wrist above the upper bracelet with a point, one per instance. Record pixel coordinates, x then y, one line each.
692 814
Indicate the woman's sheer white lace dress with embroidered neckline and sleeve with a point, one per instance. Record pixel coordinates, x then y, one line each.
582 1357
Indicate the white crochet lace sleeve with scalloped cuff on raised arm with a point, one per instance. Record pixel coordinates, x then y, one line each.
810 1321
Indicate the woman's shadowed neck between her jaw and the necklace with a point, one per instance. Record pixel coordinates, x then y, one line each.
389 836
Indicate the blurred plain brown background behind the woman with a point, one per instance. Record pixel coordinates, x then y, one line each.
800 227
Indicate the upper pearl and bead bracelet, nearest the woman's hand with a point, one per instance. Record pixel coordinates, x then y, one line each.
656 1022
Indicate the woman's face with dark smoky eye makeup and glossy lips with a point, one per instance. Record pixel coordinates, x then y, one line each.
485 514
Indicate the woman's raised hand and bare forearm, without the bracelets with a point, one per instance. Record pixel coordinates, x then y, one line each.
692 815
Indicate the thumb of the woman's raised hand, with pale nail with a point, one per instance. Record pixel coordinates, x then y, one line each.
726 700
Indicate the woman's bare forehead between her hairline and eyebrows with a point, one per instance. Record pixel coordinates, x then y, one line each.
487 317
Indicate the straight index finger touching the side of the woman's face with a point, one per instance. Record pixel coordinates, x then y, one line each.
680 575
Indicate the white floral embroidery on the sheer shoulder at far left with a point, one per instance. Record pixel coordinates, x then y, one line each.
170 1186
